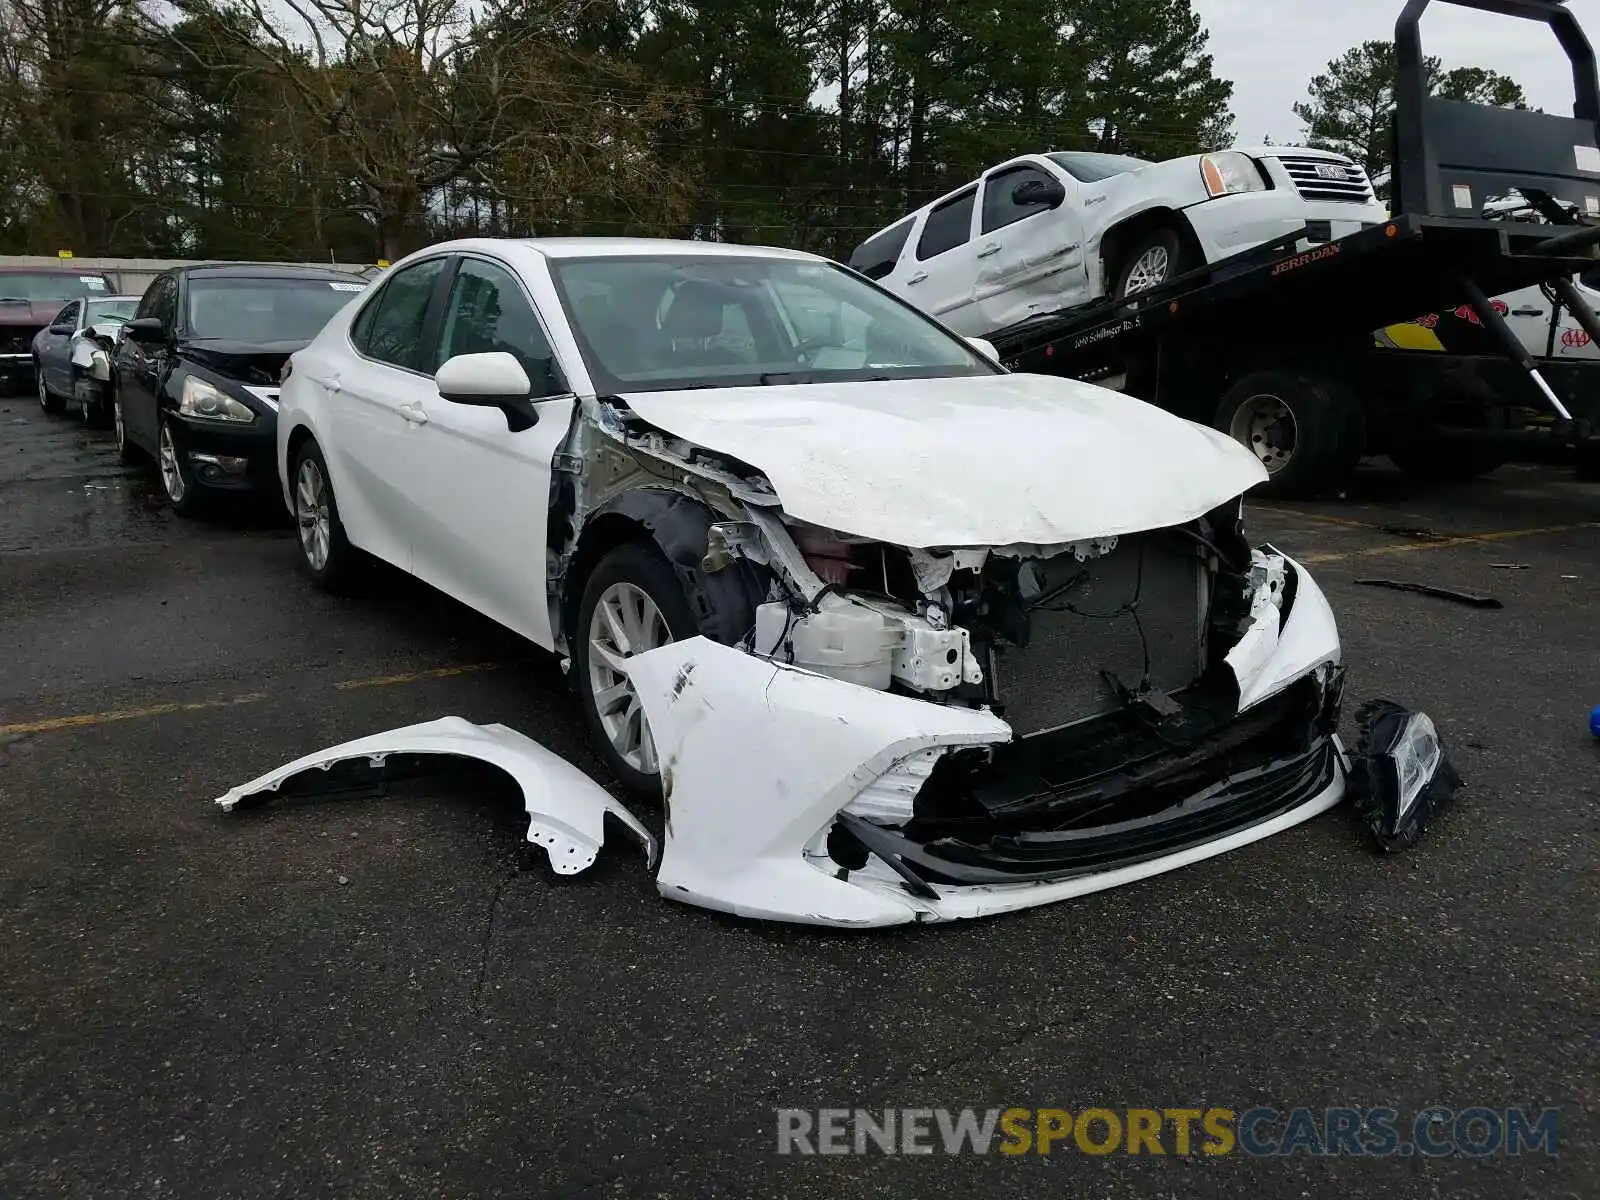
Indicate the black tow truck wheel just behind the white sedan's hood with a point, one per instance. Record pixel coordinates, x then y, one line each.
1308 433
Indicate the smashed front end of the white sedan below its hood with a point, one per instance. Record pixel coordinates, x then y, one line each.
930 734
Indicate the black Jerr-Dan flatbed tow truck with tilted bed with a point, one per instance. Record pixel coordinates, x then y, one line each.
1316 353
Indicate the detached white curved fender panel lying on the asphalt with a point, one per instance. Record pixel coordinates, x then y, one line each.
566 807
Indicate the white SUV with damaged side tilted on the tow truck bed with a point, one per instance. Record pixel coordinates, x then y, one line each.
1052 231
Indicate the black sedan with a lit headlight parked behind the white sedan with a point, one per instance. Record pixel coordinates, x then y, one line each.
196 382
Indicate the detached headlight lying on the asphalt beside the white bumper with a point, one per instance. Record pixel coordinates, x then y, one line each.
1402 775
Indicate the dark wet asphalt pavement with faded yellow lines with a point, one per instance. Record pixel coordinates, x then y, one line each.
383 996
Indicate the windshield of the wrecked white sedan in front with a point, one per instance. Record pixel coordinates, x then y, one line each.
682 321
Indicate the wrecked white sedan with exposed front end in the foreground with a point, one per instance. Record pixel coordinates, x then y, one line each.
897 634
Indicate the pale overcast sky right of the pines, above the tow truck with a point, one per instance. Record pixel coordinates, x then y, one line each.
1271 49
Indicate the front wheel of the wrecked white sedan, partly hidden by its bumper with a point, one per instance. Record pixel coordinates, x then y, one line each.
633 602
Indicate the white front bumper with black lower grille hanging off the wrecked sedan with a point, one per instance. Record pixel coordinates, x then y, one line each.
783 786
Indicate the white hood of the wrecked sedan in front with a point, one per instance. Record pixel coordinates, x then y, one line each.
975 462
